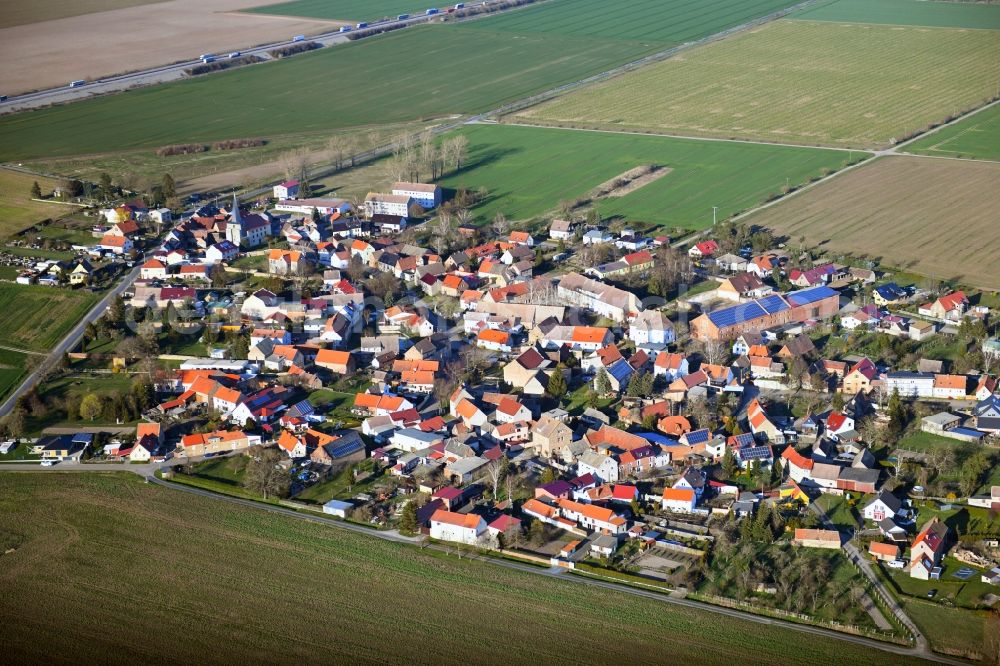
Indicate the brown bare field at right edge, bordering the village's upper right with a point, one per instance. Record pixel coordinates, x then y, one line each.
906 211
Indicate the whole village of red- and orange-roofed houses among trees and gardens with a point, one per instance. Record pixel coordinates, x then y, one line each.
582 395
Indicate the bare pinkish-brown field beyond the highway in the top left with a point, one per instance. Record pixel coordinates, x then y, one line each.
52 53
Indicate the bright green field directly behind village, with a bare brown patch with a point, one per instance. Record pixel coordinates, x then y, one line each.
529 170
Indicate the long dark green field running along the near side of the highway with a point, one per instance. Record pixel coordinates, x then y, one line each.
476 66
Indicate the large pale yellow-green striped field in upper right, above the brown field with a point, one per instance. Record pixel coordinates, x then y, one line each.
816 83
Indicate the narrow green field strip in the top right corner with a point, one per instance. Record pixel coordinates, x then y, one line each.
906 12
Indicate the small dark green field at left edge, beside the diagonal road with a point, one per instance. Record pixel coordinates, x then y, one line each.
36 318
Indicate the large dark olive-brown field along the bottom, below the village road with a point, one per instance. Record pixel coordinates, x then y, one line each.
297 572
